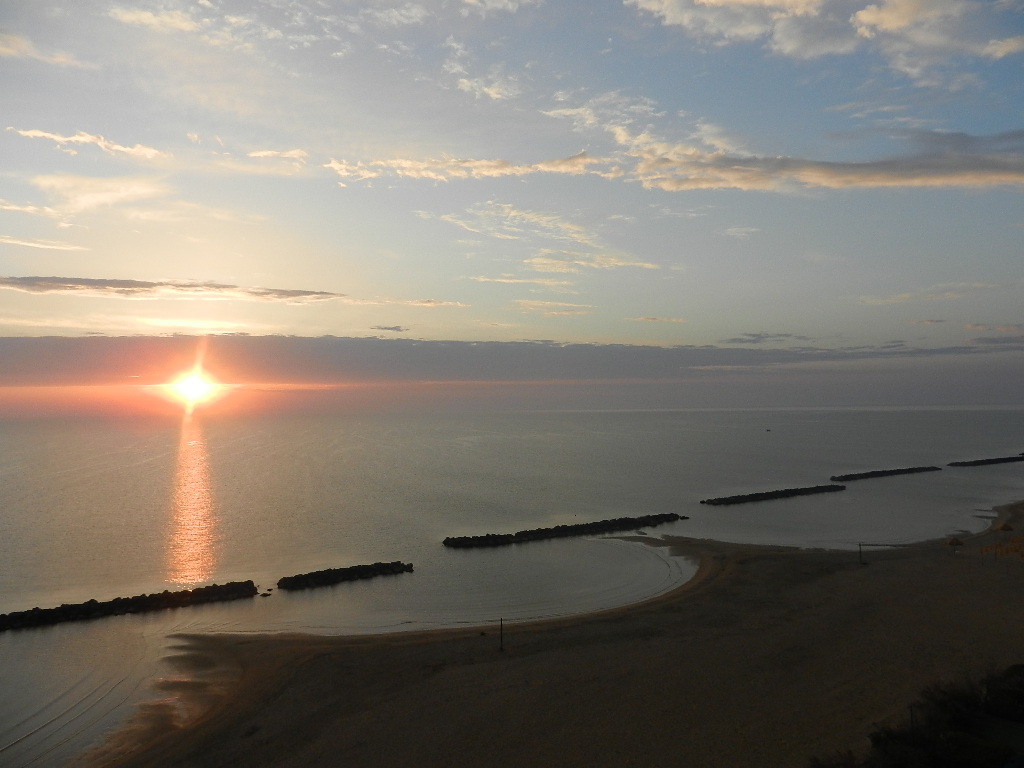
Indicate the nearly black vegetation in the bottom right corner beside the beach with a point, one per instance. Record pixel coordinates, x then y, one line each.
957 726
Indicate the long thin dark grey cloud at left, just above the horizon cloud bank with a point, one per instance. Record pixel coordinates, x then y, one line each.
135 289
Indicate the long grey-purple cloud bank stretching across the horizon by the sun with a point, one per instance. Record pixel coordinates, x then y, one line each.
334 360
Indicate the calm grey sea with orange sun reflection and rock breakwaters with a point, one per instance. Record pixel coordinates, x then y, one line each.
101 507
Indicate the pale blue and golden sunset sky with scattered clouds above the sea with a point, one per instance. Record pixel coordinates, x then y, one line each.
771 192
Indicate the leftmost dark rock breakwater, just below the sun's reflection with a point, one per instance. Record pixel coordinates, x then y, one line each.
120 606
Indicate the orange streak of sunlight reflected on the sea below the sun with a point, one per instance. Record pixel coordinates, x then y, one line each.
191 551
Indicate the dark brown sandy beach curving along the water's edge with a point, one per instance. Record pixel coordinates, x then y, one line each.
769 657
